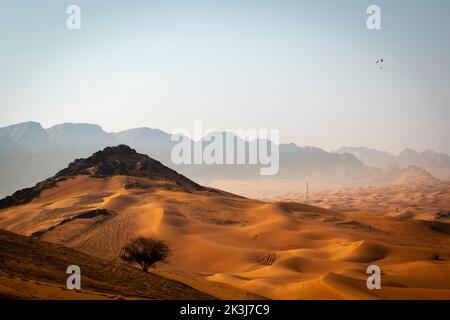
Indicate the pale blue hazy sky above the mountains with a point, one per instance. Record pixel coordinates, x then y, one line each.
306 68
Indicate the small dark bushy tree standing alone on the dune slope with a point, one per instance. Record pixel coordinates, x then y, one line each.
145 252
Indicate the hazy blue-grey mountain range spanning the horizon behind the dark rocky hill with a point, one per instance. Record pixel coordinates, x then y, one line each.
29 153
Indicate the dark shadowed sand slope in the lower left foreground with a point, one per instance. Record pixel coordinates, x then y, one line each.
31 269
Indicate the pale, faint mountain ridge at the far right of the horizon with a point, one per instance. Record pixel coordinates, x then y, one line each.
438 164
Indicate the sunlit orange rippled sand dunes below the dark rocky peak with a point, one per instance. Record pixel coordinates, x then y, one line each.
278 250
